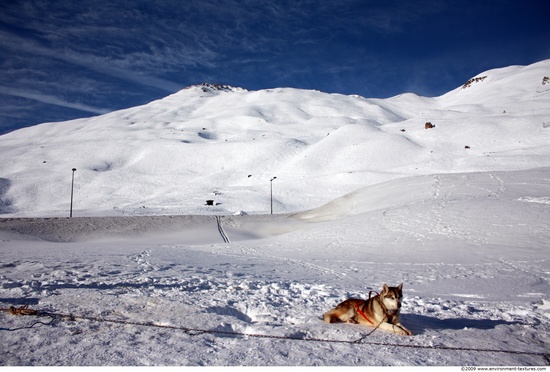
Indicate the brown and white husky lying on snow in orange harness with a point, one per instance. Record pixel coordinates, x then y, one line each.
381 311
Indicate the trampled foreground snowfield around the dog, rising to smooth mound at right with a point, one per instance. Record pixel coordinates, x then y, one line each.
471 250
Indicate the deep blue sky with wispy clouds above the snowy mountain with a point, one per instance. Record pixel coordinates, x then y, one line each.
67 59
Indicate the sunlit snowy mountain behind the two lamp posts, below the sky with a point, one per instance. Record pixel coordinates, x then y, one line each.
225 144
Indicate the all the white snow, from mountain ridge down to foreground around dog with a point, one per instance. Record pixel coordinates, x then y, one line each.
364 195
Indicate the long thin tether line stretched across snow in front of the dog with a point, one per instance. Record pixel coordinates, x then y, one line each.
197 332
